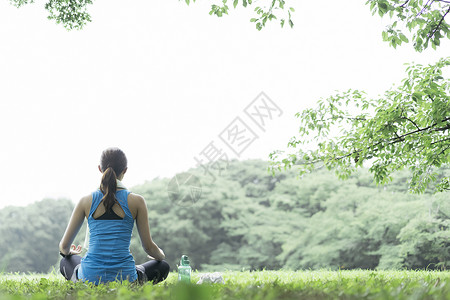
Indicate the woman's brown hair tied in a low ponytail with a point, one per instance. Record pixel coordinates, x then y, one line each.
112 162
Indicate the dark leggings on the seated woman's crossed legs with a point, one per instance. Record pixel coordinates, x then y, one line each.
152 270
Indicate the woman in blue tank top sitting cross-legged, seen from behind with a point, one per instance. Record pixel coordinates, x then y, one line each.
111 211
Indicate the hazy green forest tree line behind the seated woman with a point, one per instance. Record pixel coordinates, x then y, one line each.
248 219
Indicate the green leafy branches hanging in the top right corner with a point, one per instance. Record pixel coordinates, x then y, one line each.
426 21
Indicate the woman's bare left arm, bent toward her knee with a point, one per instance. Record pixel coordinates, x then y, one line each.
75 223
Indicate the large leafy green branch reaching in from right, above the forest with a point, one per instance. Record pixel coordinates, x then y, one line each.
408 127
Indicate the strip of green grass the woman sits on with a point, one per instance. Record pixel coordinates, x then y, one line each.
320 284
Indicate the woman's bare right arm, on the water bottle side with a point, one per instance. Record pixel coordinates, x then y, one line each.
144 230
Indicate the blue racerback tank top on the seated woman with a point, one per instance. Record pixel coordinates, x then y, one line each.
109 257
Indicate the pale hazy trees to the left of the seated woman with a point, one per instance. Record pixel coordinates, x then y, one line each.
29 236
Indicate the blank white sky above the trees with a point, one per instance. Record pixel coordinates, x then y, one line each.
161 80
